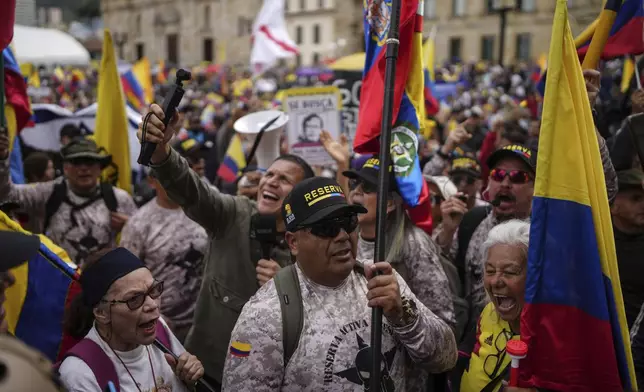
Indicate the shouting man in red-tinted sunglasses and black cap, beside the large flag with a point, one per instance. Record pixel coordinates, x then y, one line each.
510 191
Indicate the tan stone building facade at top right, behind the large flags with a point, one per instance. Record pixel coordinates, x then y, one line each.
469 29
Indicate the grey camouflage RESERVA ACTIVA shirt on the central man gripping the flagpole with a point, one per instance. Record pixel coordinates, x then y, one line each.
333 351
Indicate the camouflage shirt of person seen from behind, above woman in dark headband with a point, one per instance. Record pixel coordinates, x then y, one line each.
172 246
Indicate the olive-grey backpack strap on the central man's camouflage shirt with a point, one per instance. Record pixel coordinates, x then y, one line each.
287 285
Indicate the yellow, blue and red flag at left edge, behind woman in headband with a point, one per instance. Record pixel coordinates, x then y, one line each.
36 303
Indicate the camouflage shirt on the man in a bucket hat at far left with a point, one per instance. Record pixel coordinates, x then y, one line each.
80 231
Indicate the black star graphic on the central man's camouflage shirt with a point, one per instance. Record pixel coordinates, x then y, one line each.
359 374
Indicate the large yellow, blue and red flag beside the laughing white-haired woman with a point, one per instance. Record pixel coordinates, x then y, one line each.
573 319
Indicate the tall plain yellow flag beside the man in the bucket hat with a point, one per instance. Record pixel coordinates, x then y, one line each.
111 121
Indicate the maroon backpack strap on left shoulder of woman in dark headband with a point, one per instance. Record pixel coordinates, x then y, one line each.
93 355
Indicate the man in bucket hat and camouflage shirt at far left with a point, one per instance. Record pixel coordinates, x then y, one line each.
76 212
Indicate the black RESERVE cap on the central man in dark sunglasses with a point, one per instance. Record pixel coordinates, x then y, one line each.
313 200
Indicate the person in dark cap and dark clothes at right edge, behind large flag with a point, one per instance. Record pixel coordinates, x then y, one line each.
627 212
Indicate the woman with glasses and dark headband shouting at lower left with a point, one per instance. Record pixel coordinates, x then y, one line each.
117 317
